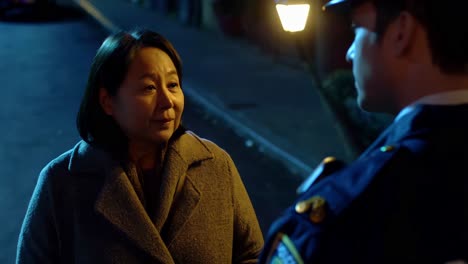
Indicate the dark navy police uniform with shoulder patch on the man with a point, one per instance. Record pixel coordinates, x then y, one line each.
404 200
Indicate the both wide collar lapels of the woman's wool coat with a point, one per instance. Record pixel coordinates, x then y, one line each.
118 201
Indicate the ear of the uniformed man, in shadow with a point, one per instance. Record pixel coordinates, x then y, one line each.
403 33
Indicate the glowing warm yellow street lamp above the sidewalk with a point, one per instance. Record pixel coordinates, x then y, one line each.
293 17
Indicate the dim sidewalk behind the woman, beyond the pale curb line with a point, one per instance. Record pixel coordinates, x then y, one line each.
272 106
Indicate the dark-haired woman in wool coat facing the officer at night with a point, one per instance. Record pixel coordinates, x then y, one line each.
138 188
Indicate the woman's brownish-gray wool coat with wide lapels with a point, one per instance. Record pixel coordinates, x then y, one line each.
85 209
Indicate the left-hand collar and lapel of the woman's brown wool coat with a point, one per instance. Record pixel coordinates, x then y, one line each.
118 202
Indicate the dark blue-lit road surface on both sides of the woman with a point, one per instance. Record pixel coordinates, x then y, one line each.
43 71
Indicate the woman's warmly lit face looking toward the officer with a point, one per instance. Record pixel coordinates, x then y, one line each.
148 105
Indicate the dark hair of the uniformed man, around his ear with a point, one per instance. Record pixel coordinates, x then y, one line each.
445 22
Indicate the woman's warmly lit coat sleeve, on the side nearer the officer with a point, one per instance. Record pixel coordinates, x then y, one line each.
248 238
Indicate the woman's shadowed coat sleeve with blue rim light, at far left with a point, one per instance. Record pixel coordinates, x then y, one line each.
38 241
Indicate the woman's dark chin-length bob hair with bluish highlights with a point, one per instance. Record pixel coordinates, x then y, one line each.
108 70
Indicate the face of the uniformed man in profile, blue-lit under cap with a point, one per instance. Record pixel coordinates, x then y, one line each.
367 54
